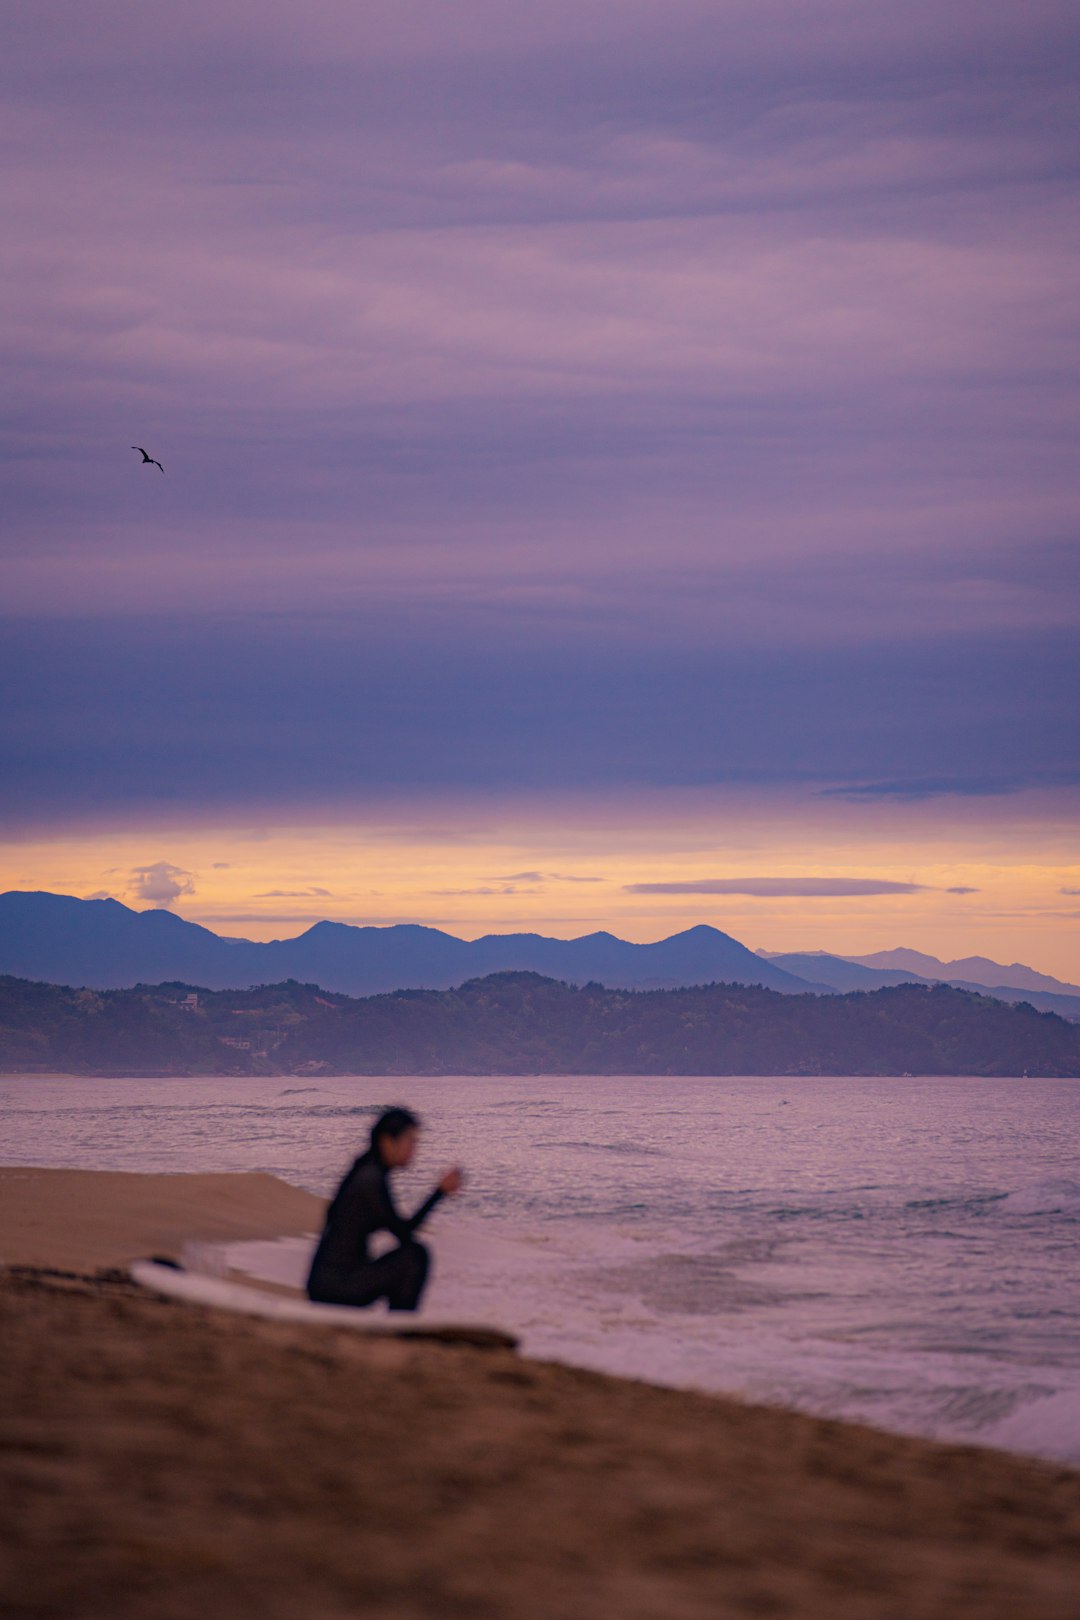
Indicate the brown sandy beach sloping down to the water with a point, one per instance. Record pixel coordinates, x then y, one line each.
169 1462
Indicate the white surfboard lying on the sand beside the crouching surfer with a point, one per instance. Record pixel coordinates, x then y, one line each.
223 1295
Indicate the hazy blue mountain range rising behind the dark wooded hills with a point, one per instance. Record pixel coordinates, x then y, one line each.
104 945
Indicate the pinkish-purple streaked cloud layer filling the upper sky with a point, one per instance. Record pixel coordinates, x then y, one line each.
550 278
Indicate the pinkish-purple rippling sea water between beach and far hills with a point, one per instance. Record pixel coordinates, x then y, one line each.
901 1251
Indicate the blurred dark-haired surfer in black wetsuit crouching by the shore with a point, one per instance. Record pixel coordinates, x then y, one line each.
344 1273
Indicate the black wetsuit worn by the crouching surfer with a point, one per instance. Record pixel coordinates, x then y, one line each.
342 1273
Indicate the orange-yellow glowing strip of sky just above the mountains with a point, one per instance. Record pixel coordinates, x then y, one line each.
568 871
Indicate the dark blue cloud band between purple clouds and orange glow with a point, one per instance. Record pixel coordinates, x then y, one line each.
255 714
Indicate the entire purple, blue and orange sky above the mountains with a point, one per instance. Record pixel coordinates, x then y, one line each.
621 467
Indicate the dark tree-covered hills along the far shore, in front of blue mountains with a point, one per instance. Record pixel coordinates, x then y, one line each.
527 1025
